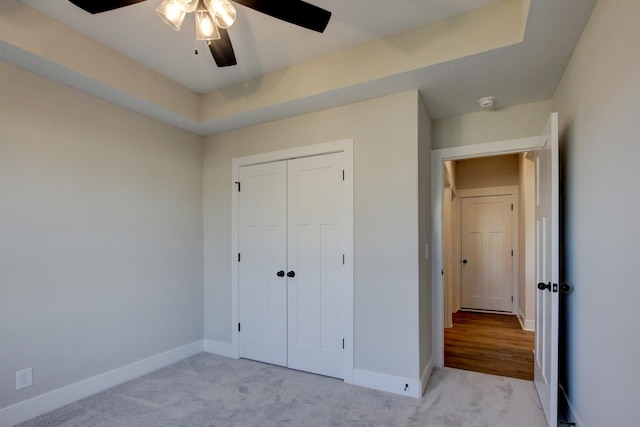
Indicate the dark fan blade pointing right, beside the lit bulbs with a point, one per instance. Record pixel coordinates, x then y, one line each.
295 12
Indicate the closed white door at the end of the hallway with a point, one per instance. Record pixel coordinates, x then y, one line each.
487 253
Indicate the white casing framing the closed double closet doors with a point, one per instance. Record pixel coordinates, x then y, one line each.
343 146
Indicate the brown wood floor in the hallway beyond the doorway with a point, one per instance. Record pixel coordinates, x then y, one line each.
489 343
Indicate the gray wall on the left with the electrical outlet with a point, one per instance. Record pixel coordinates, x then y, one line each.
100 235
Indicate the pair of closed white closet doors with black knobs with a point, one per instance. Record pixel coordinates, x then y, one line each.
292 279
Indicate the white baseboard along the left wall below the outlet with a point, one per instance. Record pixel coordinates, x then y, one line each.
23 411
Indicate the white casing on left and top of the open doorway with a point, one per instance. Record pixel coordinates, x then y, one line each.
438 157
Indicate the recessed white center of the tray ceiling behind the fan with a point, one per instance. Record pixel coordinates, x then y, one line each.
262 44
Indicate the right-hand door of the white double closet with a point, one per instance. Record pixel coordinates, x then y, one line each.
315 254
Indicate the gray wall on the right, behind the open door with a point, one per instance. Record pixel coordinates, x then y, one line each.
598 101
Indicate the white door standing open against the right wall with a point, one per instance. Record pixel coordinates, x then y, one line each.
547 270
